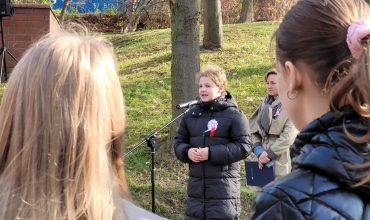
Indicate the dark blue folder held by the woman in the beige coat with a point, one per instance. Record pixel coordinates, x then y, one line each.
257 177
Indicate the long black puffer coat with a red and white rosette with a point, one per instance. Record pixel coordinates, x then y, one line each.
214 185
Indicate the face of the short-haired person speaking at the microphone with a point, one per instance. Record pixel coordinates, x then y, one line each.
208 90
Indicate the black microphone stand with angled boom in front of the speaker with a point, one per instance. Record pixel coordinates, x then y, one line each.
151 141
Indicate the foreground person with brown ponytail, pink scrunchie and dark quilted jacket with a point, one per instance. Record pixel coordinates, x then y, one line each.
323 52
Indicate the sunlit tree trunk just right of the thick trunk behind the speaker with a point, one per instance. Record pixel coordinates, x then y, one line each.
213 35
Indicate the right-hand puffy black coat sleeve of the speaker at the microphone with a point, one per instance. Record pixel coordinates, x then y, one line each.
240 145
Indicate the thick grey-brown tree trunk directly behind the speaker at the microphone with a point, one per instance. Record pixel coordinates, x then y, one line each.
185 60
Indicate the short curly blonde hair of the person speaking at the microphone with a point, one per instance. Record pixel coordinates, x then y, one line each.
215 73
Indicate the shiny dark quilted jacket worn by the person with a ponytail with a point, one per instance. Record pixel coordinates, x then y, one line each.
320 186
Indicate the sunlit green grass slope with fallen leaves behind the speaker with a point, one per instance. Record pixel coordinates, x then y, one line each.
144 63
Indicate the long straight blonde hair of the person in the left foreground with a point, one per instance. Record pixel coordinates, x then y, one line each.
62 121
